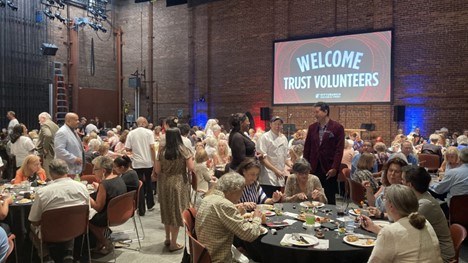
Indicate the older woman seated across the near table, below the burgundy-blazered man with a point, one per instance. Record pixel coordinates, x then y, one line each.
301 185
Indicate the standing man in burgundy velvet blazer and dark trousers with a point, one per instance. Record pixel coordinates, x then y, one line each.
323 148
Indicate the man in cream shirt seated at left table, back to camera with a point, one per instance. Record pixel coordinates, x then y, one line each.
59 193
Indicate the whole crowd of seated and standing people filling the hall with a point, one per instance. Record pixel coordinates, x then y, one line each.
226 172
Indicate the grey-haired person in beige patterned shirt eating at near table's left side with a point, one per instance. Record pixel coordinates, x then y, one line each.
218 219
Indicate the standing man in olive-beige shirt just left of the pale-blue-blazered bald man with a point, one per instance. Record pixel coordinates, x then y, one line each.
45 143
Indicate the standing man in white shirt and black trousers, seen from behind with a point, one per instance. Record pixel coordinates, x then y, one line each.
140 142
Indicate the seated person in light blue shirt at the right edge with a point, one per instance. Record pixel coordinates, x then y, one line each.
455 181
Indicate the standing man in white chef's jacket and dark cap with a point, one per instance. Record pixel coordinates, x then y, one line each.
275 145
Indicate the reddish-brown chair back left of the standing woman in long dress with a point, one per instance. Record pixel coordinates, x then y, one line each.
121 208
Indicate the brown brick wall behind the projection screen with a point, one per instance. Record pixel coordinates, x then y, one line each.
223 51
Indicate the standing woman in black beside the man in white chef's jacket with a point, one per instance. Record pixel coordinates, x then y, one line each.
241 145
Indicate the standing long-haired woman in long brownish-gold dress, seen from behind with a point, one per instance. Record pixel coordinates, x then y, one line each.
172 164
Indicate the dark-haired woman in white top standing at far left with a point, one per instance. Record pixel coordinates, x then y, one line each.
21 144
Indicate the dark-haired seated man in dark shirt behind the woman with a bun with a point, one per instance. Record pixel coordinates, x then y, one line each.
418 179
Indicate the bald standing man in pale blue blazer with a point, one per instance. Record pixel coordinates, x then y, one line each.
68 146
